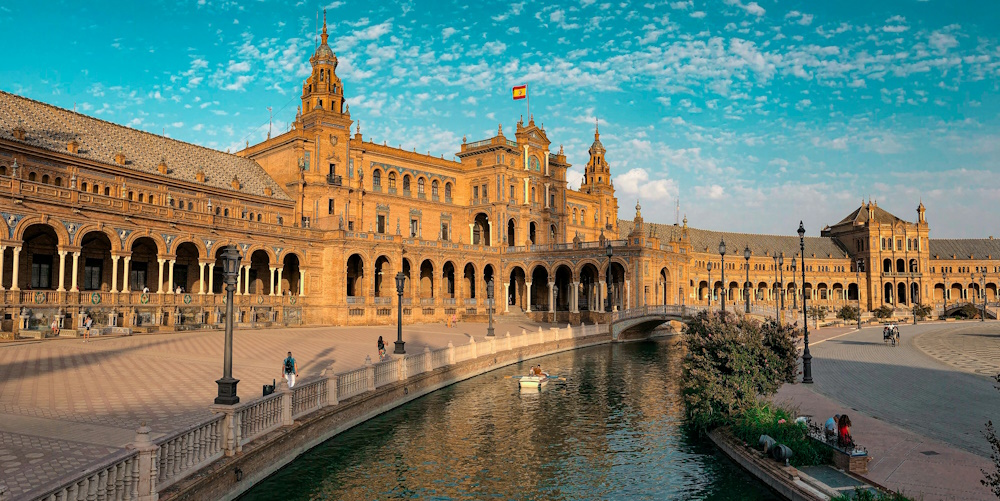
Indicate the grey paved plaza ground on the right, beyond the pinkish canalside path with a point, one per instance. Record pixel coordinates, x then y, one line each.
907 388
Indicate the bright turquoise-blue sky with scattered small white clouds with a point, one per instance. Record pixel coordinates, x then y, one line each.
755 114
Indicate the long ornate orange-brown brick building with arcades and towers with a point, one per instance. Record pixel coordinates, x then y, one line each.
128 226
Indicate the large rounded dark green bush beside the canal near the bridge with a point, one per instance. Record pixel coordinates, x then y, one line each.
732 361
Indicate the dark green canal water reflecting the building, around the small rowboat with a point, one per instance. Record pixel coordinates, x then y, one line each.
612 430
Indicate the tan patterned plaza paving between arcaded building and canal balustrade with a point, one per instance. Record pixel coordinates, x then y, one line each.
64 404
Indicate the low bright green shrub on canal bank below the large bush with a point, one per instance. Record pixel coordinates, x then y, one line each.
765 419
